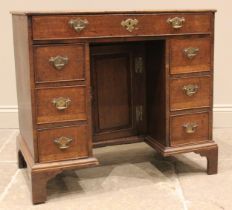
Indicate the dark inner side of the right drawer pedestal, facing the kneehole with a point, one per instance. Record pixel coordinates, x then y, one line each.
156 91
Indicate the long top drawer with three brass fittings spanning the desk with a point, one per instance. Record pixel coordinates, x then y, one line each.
79 26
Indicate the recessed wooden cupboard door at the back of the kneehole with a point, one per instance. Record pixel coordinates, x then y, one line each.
114 98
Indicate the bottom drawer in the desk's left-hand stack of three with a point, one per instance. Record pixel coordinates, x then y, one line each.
62 143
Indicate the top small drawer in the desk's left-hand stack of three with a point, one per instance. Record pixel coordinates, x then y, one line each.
56 63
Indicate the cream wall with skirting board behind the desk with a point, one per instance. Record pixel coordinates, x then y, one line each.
223 46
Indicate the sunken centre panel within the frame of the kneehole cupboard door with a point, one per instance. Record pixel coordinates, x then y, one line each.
113 92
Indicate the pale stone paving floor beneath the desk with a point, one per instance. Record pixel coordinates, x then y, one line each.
130 177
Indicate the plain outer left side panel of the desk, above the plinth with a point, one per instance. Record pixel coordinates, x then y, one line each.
24 79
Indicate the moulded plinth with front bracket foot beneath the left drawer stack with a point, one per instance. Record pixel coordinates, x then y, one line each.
41 173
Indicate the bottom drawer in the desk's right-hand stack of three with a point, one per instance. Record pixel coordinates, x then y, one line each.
188 129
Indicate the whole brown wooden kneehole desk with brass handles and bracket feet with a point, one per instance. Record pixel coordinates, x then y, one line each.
92 79
